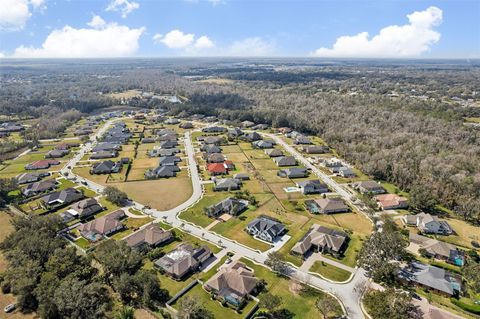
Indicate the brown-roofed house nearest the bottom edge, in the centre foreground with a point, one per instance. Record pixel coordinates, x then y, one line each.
233 283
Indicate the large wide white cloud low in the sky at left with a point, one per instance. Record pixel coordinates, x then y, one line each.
111 40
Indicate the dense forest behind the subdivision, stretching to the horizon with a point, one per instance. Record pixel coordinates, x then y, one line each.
395 121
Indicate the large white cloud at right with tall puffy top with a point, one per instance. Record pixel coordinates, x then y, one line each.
394 41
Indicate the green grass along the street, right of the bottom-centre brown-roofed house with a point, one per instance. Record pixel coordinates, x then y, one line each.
295 299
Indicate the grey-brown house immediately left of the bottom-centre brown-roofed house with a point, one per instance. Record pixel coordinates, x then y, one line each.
183 260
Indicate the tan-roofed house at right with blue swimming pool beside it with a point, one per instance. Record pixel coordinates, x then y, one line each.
436 249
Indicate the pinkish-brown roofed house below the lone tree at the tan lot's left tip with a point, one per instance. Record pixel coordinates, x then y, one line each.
103 226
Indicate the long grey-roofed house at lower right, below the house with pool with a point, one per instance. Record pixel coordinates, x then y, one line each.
431 278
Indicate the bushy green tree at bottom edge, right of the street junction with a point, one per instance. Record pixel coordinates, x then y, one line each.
391 304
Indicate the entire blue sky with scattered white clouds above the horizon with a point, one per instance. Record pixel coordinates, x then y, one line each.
239 28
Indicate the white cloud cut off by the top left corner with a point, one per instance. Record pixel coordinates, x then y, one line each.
13 14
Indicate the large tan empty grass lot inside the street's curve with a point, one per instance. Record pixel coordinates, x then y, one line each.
162 194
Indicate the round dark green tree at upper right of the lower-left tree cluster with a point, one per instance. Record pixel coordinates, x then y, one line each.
117 258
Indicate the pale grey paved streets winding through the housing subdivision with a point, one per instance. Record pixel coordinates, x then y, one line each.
346 293
